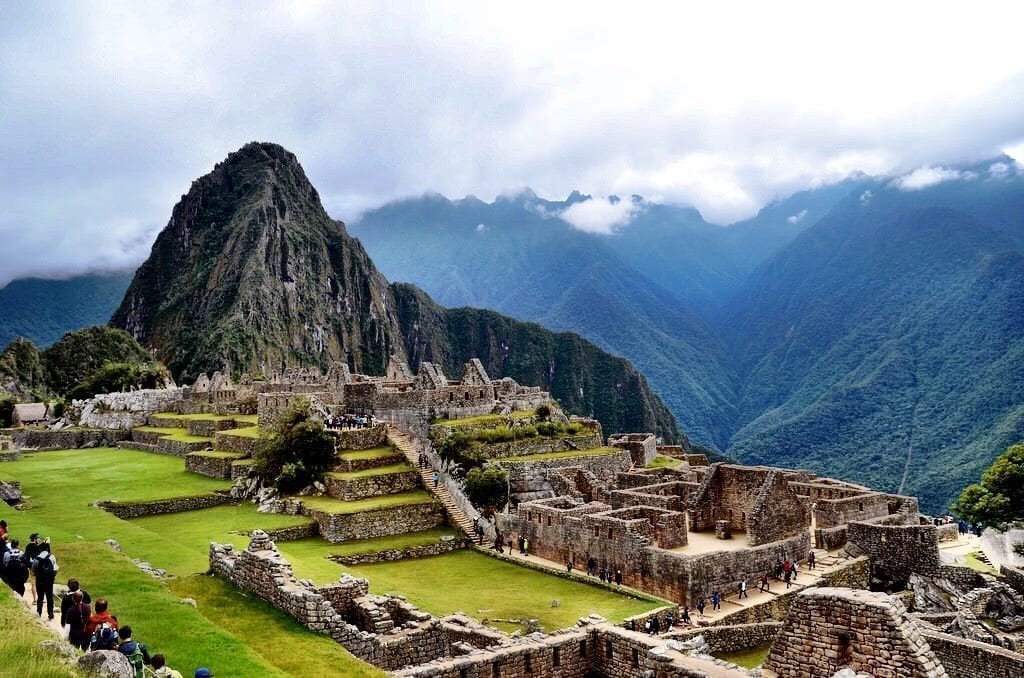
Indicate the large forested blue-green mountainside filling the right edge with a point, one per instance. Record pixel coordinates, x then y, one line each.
885 344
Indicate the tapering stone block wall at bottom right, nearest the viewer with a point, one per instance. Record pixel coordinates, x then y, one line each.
832 628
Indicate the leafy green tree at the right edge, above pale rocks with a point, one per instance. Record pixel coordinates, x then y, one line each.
999 498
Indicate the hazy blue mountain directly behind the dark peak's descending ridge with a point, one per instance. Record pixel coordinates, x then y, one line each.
514 257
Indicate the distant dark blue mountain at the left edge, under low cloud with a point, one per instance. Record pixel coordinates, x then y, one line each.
42 311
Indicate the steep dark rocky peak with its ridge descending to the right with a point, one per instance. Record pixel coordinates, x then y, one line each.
252 274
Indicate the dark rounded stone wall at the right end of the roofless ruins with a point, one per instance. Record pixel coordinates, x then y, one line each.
897 552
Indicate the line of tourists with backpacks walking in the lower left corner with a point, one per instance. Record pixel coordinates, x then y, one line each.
90 626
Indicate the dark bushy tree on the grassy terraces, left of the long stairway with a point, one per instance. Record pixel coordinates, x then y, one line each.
297 453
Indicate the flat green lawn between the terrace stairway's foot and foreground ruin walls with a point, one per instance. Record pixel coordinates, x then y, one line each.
483 587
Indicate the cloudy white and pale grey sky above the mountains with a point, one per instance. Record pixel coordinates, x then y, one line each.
109 110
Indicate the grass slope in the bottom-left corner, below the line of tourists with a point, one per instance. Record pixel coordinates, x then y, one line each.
20 638
